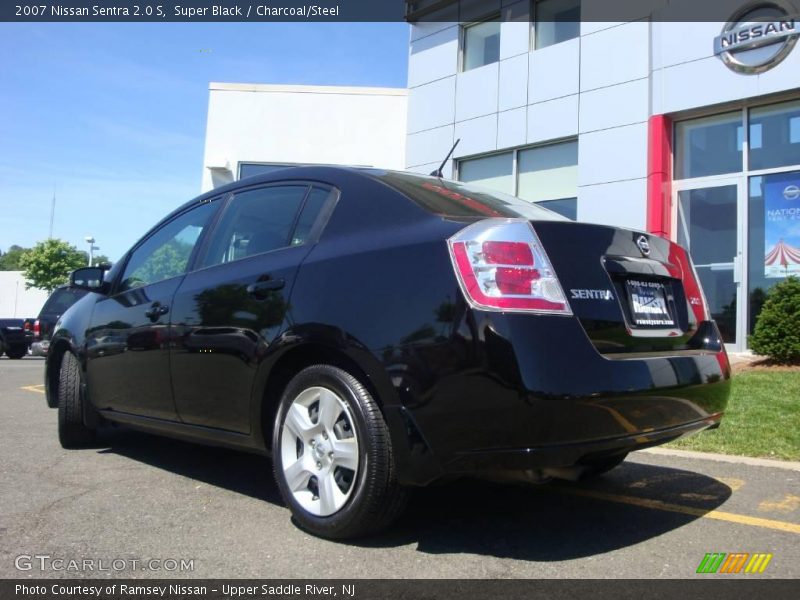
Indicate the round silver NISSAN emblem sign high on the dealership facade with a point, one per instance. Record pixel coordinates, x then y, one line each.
758 36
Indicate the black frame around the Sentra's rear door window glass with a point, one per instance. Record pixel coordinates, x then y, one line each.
314 234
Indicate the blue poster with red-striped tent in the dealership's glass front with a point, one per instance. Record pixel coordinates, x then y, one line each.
782 225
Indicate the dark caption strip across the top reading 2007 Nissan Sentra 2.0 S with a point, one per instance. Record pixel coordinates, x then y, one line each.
440 11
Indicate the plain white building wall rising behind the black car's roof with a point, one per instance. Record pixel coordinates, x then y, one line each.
302 124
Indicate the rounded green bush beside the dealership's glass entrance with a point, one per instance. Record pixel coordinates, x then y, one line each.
777 331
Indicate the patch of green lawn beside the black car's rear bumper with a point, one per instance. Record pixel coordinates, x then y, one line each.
762 418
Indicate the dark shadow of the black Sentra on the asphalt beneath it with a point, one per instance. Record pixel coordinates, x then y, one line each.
553 522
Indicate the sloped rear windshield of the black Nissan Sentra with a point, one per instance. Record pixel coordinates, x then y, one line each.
455 199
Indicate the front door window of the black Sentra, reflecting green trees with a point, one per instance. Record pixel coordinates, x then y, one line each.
165 254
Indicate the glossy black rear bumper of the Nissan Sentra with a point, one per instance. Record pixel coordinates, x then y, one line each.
527 393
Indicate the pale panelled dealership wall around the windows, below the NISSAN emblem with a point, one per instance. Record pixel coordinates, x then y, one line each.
600 88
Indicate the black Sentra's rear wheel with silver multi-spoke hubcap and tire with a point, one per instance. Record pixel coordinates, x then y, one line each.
332 456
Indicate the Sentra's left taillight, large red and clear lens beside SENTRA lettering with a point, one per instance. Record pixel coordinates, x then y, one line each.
501 265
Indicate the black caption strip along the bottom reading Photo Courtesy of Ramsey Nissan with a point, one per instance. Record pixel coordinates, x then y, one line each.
711 588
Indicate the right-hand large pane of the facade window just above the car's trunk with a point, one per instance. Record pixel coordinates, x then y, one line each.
548 172
